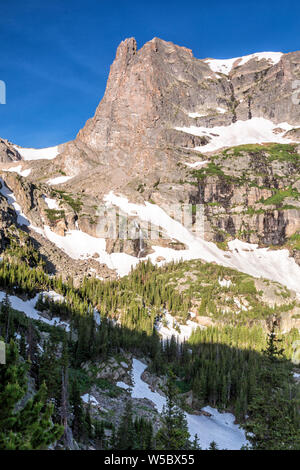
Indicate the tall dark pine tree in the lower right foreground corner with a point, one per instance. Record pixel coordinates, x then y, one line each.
272 424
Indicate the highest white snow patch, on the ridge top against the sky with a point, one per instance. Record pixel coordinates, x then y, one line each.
226 65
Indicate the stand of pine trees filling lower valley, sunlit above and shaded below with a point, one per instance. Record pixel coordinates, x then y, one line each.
232 367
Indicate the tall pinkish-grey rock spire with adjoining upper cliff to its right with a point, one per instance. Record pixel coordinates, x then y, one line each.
153 90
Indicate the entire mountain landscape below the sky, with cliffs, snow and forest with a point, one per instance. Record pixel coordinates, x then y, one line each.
150 268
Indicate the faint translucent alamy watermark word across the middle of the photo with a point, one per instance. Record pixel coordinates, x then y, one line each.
114 224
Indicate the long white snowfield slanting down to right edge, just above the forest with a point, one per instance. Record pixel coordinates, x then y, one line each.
275 265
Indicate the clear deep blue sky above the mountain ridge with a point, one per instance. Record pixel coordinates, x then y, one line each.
56 54
